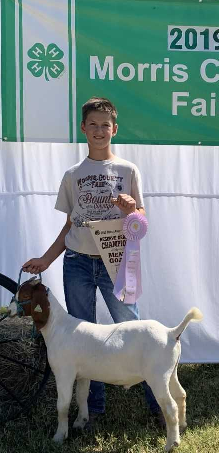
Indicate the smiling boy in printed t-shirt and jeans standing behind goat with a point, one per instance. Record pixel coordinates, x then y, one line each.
102 186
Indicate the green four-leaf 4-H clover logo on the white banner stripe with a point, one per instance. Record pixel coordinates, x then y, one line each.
47 59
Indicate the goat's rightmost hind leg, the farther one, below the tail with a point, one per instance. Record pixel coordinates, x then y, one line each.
179 395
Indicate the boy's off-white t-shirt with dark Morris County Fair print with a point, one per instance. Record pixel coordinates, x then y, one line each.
85 193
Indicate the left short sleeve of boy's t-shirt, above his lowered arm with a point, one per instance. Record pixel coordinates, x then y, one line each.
64 200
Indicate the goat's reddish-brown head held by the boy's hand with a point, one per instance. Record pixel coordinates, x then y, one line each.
32 295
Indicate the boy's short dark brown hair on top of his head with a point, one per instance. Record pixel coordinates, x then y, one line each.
96 104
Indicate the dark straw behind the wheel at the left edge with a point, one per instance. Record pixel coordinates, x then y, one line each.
17 343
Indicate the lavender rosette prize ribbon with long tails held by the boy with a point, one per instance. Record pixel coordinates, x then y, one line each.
128 281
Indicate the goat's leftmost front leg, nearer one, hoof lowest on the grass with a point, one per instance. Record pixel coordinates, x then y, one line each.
64 383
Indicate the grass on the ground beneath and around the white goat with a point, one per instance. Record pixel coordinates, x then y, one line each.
127 426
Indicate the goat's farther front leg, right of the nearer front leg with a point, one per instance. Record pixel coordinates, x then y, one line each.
82 392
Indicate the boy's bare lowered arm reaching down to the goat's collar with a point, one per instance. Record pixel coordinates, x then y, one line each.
36 265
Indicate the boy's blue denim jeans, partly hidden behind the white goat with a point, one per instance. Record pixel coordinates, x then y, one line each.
82 275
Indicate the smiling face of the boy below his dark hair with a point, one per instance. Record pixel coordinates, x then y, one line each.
99 129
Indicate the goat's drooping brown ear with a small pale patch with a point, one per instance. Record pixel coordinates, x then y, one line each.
40 306
